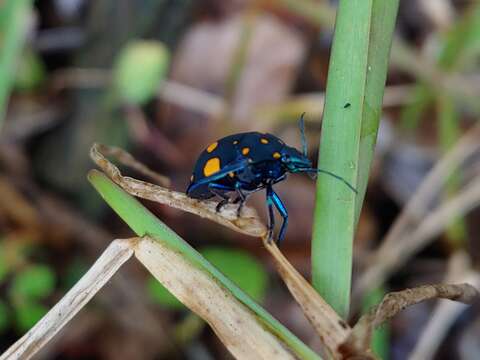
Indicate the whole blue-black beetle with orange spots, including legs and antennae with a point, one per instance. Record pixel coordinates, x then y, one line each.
248 162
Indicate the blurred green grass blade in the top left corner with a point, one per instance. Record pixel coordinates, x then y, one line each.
13 26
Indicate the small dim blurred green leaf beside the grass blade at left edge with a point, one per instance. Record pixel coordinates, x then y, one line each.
30 72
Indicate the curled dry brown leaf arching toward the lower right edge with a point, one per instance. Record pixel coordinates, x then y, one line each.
394 302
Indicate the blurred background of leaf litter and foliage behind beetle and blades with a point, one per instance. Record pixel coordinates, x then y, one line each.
163 78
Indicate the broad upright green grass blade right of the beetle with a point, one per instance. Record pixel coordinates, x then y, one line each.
356 81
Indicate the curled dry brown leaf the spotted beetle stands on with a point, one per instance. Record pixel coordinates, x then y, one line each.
249 223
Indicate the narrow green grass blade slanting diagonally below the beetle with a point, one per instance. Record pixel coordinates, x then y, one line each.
143 222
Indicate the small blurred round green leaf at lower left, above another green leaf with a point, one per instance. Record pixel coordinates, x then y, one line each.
35 282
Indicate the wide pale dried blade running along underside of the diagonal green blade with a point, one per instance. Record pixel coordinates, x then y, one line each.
236 326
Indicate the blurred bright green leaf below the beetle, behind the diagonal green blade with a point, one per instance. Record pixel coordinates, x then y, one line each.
240 267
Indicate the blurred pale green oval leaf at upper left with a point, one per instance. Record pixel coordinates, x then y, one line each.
139 69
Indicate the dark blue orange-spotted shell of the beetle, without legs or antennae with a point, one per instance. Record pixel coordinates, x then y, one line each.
259 149
